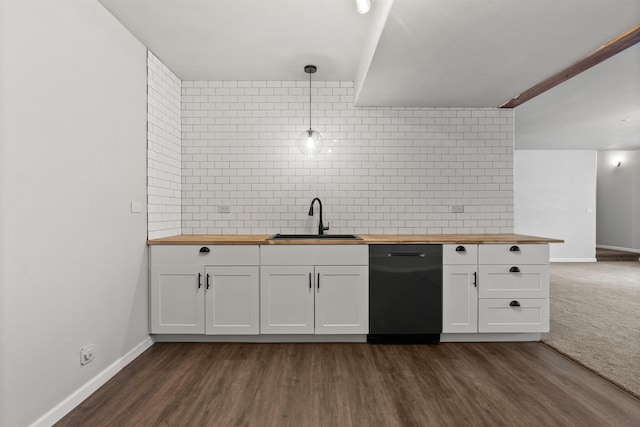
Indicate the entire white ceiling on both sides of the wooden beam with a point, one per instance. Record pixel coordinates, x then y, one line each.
432 53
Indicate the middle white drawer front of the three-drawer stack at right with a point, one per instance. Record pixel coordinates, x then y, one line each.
498 281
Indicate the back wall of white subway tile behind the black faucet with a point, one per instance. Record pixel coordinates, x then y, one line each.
391 170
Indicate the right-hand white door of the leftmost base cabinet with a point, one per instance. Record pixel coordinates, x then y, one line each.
232 300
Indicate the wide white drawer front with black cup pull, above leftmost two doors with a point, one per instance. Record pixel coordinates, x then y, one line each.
217 255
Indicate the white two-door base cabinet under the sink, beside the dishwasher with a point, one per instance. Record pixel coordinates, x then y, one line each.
314 299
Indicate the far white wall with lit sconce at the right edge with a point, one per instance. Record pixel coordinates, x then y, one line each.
619 200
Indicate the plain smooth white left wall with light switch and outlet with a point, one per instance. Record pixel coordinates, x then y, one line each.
73 259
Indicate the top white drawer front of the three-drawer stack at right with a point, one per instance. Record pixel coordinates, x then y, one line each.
514 254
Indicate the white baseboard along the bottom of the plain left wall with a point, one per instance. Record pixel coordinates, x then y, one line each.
73 400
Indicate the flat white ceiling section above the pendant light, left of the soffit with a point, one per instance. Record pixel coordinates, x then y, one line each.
248 39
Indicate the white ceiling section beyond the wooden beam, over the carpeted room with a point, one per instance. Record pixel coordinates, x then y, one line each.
598 109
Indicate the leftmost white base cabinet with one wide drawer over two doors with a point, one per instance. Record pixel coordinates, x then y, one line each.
199 297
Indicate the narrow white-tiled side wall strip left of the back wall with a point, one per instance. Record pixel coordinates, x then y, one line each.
164 165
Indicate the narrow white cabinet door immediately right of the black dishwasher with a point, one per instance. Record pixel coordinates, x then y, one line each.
459 298
